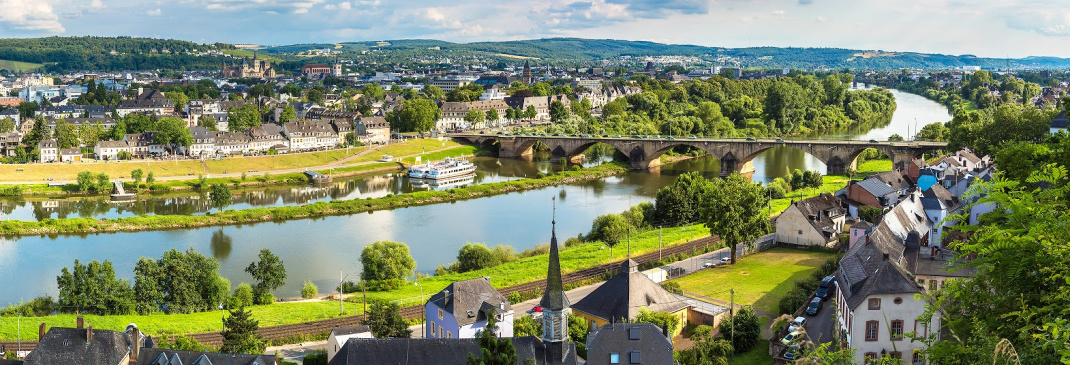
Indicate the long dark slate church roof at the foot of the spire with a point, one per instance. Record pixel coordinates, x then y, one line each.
414 352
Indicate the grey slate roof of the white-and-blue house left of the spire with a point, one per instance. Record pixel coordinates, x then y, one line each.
468 300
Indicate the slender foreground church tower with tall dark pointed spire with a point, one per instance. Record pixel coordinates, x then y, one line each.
556 308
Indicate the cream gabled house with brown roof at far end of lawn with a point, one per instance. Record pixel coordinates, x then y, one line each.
813 222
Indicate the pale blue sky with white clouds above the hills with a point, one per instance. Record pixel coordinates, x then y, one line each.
986 28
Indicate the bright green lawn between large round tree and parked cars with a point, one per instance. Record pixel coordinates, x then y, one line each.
760 280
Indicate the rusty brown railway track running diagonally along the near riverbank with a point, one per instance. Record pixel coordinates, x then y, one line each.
416 312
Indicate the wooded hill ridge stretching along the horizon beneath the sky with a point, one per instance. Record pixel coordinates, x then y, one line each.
67 54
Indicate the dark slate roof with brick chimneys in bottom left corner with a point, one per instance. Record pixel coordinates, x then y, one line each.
70 346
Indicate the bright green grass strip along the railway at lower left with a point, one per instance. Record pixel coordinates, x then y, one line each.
173 325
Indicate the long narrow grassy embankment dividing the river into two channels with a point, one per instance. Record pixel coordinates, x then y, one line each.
81 226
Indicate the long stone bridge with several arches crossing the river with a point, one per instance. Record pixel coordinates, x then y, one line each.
735 155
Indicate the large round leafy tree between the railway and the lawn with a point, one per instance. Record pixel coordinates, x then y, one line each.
733 210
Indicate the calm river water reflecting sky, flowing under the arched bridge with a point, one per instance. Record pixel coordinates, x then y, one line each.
318 249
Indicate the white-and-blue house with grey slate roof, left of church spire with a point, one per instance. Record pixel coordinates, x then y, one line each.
461 311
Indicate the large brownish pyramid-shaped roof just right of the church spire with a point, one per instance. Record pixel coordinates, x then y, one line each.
620 299
